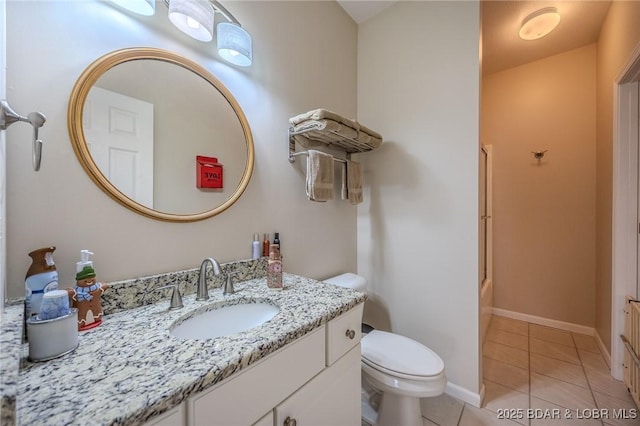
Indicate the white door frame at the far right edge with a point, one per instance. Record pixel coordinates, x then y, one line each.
625 215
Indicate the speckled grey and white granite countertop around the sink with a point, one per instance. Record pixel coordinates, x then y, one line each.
130 368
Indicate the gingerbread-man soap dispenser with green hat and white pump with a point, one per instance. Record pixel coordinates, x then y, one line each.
86 295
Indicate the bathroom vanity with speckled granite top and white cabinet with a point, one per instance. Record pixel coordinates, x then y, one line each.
302 366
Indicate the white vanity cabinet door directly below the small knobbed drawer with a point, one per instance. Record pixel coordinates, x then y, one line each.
331 398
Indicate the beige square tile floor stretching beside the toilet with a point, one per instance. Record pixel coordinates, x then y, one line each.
531 371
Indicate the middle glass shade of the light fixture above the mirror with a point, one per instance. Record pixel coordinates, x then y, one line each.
192 17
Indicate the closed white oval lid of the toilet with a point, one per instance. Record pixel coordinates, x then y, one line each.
400 354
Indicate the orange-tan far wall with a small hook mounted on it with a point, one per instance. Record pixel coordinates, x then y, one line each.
544 211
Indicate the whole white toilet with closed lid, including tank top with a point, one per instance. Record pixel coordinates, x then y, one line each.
398 368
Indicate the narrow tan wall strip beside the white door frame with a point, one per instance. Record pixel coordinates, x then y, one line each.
618 37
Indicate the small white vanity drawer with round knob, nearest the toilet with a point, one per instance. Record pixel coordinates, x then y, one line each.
343 333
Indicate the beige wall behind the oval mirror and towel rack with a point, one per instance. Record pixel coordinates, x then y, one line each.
50 43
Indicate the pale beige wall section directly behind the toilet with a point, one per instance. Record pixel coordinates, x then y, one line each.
418 84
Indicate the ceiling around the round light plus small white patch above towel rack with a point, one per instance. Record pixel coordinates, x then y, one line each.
580 24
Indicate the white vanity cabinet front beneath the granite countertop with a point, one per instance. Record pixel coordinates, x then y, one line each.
314 380
